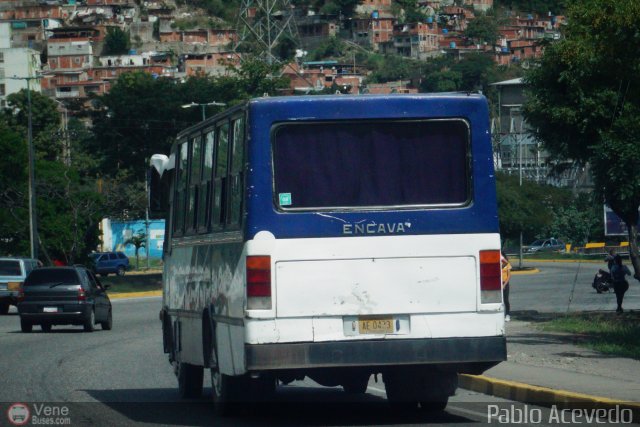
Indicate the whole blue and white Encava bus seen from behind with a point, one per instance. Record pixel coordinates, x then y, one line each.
334 237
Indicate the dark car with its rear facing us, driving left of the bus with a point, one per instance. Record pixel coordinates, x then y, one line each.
64 296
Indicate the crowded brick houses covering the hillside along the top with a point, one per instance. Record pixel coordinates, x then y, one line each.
175 42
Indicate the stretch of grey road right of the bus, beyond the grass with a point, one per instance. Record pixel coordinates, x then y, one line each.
562 287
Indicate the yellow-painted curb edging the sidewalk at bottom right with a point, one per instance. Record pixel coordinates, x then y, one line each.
541 396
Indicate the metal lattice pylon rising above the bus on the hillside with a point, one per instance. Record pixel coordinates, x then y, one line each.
263 24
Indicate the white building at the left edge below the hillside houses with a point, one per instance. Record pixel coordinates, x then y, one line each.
18 62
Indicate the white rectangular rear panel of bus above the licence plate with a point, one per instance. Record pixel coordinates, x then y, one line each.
376 286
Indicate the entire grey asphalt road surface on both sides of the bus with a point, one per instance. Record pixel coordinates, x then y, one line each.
121 377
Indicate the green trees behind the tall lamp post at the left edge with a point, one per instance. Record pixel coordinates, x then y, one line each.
67 205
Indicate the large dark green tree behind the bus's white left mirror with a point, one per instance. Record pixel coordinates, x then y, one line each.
142 115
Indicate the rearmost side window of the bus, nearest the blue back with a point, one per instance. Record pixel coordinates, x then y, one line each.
236 173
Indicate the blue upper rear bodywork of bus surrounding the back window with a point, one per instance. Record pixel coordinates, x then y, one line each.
477 216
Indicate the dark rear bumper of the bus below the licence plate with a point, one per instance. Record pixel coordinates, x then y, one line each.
470 351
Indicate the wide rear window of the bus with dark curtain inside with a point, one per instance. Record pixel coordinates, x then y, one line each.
371 164
